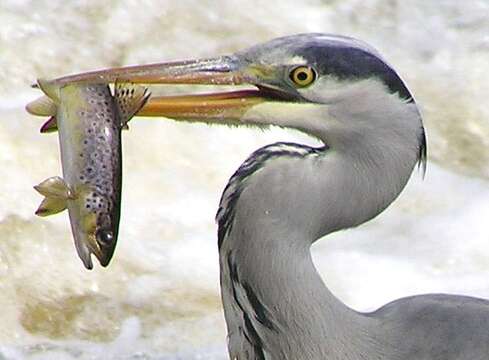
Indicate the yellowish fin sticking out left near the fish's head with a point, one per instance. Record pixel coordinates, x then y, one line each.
56 194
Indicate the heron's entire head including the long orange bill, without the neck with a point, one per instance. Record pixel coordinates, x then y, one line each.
335 88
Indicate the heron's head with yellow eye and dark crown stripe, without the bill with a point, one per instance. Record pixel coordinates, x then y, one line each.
333 87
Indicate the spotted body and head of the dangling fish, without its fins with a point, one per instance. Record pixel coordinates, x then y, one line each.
92 167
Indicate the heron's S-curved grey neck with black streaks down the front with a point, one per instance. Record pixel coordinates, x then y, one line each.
275 303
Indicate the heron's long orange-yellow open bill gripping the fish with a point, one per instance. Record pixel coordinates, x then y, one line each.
227 107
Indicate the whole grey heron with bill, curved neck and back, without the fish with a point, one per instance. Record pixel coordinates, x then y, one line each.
286 196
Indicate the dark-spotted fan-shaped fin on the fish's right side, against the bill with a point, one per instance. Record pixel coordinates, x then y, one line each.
129 98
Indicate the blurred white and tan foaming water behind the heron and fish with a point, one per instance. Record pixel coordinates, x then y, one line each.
159 298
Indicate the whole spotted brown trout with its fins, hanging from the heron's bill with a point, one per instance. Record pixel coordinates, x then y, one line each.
89 121
